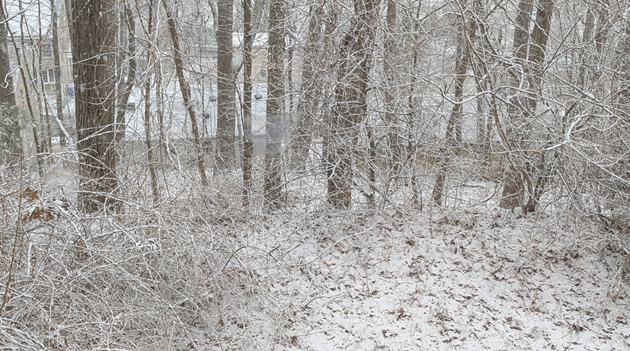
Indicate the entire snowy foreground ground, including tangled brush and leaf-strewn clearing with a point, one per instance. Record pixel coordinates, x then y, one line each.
198 273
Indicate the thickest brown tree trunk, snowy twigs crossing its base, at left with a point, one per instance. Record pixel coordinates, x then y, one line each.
93 53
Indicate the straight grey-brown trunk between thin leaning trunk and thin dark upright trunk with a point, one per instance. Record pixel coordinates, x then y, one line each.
226 99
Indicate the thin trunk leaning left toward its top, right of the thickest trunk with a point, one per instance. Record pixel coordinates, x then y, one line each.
185 89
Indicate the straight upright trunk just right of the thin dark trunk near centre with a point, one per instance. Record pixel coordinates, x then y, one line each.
275 105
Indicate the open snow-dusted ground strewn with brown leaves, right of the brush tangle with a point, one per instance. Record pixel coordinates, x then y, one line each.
460 280
